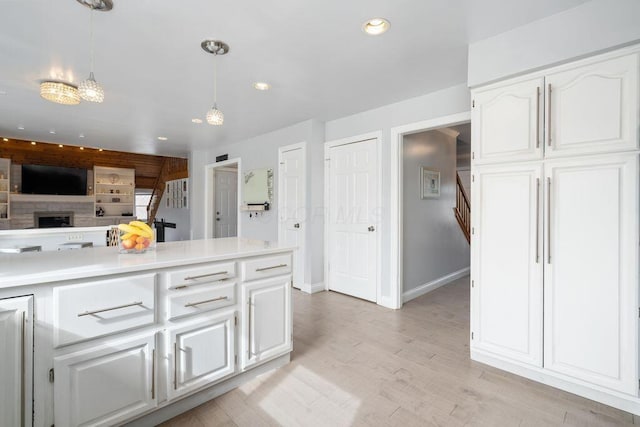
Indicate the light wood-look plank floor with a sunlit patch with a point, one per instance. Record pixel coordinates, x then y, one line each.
355 363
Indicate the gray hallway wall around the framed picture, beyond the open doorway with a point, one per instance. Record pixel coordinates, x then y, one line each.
433 244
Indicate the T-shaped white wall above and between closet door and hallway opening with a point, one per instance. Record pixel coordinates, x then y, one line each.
437 104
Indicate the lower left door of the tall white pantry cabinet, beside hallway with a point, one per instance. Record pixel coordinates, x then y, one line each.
507 261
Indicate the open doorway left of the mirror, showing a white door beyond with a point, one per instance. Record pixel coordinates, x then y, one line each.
222 192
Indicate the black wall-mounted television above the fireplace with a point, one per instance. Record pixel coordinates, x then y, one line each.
38 179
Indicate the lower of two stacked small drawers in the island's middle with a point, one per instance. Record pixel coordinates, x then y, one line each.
184 301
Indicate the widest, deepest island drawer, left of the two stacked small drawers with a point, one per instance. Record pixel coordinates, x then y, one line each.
93 309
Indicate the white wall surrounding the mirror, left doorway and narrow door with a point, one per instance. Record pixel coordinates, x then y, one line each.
262 152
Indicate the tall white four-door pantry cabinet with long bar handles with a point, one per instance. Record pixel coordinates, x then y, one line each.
555 217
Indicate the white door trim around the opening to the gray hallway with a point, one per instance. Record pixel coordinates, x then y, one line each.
396 196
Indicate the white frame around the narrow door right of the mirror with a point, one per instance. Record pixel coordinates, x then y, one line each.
306 273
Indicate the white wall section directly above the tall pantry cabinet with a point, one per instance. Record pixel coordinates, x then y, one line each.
592 27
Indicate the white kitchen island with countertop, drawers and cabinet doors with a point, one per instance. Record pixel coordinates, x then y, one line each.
94 337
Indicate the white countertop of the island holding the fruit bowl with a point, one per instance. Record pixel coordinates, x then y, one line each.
32 268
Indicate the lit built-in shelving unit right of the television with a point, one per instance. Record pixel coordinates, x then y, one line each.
114 191
